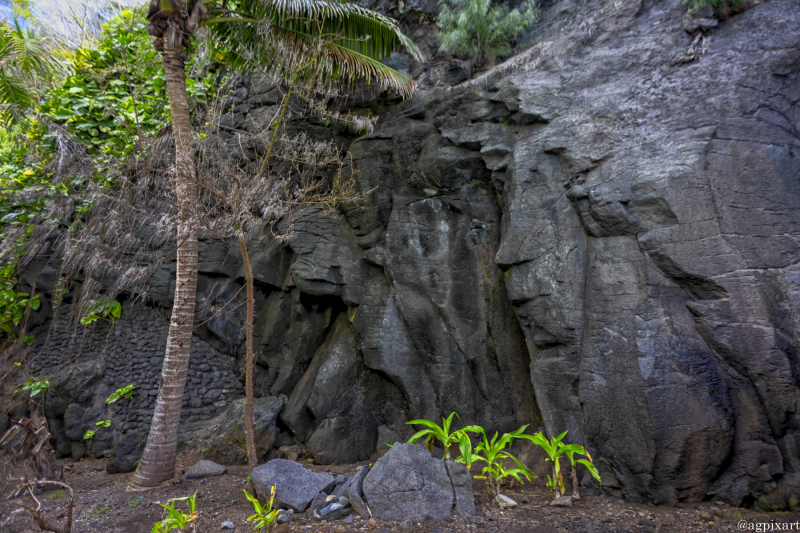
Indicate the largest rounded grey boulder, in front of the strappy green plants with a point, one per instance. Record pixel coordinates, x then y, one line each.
409 484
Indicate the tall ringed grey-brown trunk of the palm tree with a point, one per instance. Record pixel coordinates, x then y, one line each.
158 461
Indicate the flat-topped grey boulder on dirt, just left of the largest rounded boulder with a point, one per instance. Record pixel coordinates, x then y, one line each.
295 485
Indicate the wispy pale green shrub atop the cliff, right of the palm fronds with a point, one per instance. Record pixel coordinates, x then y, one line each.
480 31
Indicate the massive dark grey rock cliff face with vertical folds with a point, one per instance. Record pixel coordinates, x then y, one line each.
603 237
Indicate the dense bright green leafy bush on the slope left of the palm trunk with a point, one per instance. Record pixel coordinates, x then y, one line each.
112 98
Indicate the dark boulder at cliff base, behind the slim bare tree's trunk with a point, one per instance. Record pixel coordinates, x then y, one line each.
228 444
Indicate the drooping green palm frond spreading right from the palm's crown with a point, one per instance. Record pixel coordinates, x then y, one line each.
321 42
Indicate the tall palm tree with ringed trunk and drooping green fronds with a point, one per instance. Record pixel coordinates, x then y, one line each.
315 42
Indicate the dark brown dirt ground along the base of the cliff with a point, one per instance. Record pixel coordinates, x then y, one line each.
103 506
